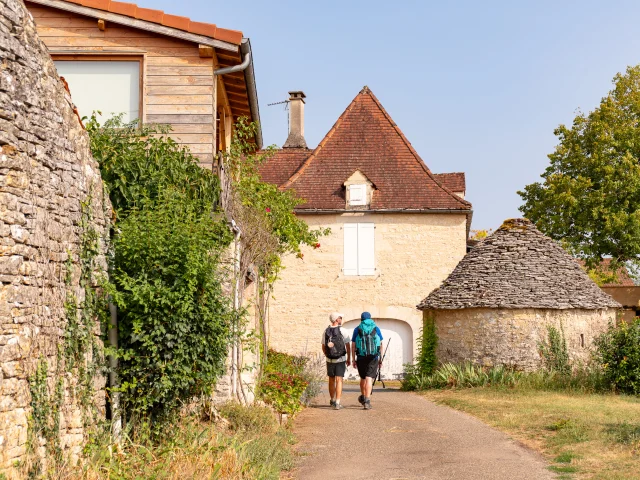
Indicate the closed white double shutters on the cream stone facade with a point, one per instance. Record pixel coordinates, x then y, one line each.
359 251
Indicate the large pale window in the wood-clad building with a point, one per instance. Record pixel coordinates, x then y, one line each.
111 87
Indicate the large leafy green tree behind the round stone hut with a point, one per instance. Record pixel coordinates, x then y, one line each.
589 198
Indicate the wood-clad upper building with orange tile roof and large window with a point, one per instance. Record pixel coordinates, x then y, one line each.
152 66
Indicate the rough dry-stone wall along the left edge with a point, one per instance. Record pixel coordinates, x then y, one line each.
46 171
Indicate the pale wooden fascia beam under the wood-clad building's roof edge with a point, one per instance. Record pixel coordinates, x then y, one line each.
135 23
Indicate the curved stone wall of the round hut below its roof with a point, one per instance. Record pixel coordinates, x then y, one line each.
511 337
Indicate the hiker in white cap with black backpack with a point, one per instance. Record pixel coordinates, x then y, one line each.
337 349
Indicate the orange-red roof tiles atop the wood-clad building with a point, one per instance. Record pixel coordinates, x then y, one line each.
161 18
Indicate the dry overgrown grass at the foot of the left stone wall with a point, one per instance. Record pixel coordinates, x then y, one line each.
250 446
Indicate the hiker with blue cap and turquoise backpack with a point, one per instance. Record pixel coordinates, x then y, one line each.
366 342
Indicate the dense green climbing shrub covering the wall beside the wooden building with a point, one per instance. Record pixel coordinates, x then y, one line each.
173 318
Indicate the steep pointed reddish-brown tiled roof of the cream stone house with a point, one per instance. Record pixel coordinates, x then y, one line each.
365 138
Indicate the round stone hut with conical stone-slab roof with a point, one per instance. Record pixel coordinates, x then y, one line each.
497 304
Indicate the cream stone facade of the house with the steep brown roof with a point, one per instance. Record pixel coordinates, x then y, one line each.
414 253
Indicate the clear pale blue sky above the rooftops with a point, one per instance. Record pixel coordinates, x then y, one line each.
475 86
